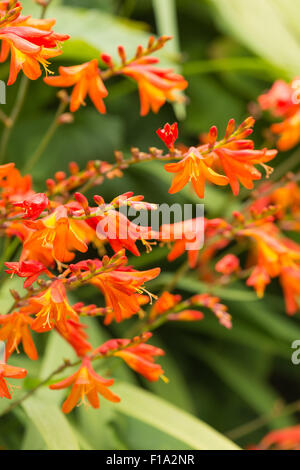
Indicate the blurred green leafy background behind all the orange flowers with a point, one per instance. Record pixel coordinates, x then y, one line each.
230 51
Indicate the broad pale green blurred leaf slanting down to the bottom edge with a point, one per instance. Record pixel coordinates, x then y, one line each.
179 424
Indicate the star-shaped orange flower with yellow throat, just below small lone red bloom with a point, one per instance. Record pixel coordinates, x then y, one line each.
194 168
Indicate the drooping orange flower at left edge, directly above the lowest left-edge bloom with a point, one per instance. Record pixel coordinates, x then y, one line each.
14 328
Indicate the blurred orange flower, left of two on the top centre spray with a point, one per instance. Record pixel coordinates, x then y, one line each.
87 80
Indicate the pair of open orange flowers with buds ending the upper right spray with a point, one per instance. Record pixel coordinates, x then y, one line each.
235 154
